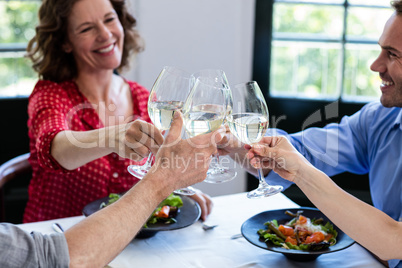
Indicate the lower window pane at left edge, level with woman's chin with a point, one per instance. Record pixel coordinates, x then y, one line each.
17 77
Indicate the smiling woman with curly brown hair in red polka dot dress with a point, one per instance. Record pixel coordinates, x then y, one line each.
86 123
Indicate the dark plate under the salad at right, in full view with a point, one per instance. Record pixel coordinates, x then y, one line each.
252 225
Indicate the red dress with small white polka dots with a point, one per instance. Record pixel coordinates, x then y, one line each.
55 192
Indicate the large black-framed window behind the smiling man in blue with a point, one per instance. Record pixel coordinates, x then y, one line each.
322 49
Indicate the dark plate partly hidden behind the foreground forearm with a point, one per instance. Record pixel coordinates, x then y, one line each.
189 213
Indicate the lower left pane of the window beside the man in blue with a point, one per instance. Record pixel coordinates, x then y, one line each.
306 70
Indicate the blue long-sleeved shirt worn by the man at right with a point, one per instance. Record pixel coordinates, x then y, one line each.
370 141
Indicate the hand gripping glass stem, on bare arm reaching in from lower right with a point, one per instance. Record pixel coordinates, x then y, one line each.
278 154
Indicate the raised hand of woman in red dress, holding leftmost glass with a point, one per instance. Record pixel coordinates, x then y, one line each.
136 139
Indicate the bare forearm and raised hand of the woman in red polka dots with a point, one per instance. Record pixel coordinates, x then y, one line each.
134 140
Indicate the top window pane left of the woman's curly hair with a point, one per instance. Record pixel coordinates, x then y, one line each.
18 20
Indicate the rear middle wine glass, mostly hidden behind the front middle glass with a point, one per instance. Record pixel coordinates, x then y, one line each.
217 173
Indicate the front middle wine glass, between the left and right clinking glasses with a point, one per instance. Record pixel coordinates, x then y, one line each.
204 111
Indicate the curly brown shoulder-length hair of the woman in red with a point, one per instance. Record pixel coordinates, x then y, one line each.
45 49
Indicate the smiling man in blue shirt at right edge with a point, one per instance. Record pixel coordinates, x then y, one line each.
369 141
